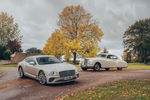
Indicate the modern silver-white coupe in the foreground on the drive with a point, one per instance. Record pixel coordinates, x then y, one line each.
47 69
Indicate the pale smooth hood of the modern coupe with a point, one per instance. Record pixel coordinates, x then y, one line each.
57 67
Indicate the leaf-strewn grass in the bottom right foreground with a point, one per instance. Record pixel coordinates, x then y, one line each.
120 90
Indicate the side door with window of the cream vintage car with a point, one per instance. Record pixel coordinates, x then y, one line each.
111 61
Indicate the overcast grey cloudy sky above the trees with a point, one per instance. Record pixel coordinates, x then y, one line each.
37 19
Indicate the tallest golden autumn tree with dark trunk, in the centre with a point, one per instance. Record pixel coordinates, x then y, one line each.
80 29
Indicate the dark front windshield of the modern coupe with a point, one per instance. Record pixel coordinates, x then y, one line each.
47 60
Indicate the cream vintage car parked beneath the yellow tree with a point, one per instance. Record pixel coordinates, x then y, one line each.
103 60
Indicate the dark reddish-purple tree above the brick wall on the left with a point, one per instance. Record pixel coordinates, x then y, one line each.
14 46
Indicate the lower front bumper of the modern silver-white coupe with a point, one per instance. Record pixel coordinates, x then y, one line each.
58 79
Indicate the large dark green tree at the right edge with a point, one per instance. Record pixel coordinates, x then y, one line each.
137 39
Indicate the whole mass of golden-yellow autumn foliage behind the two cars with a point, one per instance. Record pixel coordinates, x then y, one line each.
79 35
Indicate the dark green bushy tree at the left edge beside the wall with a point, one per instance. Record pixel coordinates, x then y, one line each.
5 53
